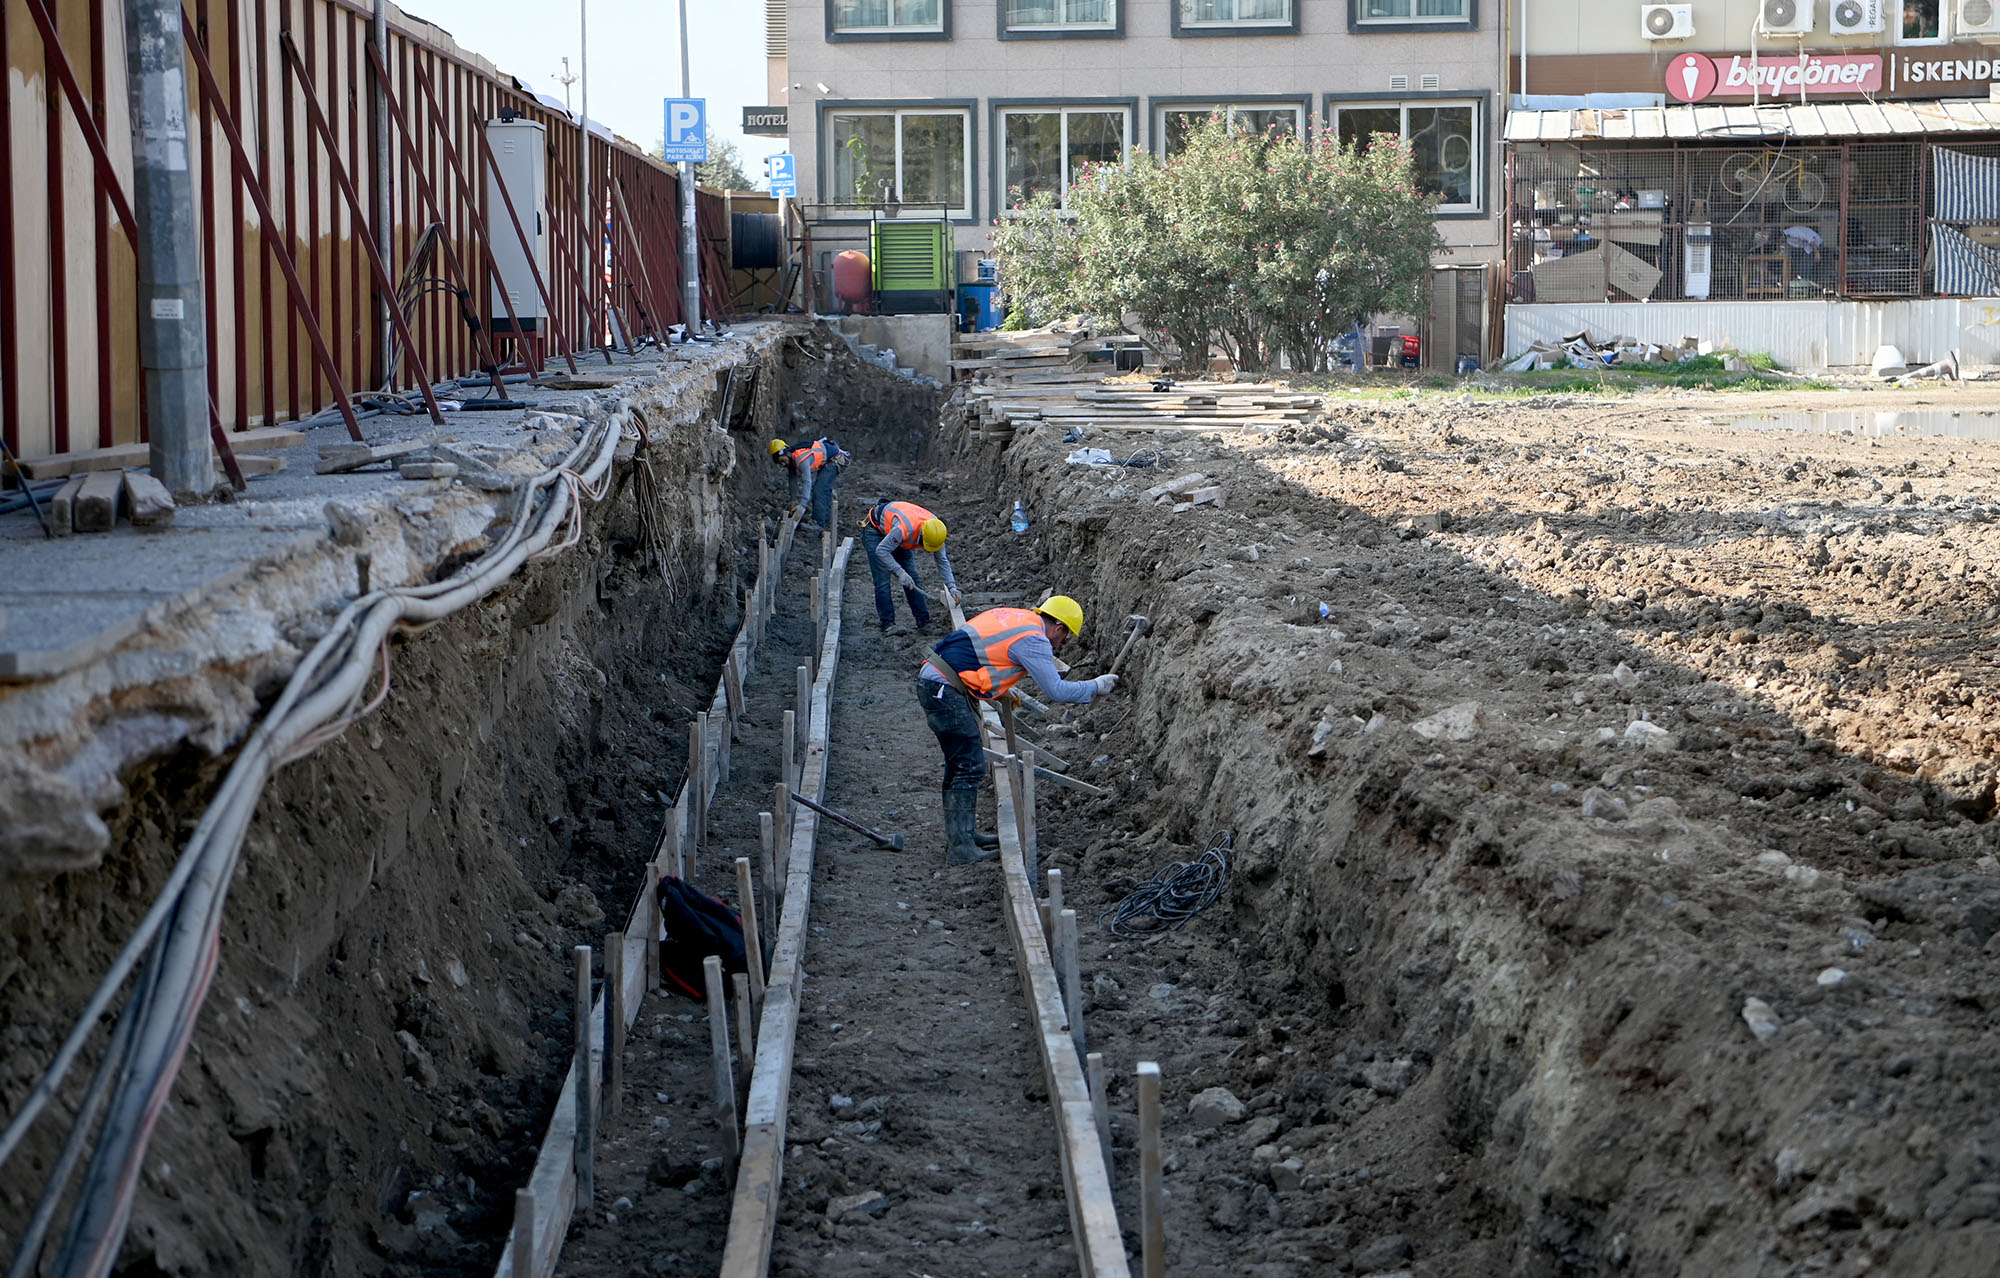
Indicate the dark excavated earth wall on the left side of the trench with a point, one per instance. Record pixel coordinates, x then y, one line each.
389 1025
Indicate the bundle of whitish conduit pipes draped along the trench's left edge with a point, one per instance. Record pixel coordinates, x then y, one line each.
195 893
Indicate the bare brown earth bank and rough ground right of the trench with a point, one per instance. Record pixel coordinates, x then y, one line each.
1611 801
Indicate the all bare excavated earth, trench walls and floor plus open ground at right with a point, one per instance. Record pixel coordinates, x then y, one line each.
1609 795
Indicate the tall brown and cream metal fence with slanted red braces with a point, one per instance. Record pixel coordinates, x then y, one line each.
69 335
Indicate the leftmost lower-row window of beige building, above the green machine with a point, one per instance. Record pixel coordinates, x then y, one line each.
901 157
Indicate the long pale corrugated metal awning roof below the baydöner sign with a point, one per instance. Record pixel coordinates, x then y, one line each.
1743 121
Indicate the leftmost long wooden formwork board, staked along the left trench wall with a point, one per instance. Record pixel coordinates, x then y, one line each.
553 1181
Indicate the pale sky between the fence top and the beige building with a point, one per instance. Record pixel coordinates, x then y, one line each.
635 59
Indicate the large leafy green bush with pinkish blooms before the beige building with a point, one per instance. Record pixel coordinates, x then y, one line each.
1245 243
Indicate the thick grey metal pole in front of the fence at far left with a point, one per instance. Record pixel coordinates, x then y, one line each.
173 329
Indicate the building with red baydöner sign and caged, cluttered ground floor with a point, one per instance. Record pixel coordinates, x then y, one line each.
1801 177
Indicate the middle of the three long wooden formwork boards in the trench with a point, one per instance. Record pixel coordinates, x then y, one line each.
761 1169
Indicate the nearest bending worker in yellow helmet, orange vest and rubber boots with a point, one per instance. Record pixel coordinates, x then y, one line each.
979 663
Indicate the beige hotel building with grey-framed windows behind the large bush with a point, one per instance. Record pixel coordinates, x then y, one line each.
967 105
